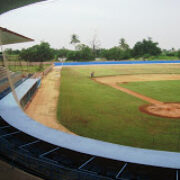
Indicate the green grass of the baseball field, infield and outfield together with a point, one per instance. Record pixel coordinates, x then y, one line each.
94 110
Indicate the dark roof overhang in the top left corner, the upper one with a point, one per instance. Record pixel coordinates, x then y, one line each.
7 5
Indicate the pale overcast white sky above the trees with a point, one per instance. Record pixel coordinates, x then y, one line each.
54 21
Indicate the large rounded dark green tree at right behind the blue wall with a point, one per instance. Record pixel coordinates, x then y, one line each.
146 47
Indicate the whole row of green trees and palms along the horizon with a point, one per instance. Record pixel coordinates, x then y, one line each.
145 49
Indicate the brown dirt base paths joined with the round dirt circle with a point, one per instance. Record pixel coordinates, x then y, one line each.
157 108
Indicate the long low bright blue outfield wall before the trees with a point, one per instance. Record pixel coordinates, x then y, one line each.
115 62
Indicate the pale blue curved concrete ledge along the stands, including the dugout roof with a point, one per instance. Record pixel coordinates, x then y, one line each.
11 112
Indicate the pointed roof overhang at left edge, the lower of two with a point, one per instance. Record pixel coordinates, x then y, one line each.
10 37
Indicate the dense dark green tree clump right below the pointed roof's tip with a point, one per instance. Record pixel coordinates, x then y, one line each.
37 53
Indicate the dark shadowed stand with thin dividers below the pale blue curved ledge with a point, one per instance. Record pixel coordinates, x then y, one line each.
86 166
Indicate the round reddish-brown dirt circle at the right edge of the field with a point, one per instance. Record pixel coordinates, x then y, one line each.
169 110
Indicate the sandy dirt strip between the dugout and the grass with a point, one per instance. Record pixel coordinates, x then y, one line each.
44 104
